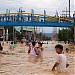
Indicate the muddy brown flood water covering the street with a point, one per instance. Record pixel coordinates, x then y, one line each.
16 61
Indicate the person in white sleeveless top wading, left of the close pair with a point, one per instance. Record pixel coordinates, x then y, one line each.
33 52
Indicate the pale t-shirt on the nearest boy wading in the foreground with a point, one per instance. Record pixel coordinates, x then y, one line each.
61 59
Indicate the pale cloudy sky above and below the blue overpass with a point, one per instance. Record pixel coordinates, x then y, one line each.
51 6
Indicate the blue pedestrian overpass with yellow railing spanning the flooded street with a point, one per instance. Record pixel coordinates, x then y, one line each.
22 18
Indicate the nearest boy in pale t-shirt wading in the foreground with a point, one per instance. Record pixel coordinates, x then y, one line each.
61 63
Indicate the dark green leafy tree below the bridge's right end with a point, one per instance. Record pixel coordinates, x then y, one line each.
66 34
